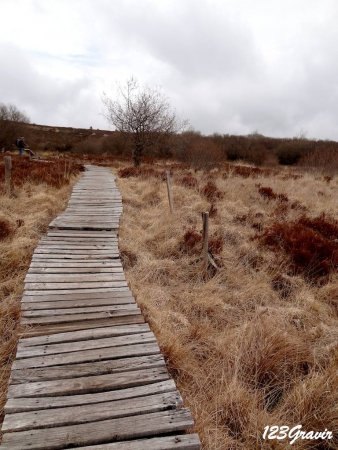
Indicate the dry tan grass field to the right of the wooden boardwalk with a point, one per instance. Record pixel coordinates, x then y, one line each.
255 344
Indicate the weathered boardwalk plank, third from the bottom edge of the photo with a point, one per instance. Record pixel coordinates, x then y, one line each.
90 413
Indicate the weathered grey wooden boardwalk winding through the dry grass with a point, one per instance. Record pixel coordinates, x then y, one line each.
88 371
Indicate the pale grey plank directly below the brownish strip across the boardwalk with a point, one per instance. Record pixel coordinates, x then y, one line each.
95 333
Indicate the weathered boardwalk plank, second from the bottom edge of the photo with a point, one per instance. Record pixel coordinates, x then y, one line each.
101 432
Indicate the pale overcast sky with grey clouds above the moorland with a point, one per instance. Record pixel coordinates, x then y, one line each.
228 66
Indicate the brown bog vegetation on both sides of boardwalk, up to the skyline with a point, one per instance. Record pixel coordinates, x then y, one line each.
250 343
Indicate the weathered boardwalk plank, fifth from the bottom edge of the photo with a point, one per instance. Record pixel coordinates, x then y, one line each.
88 384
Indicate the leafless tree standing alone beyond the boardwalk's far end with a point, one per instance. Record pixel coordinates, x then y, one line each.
143 114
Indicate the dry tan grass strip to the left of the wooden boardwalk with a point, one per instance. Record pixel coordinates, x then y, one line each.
24 218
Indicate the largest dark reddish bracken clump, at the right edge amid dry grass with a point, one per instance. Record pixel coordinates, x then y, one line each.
311 251
